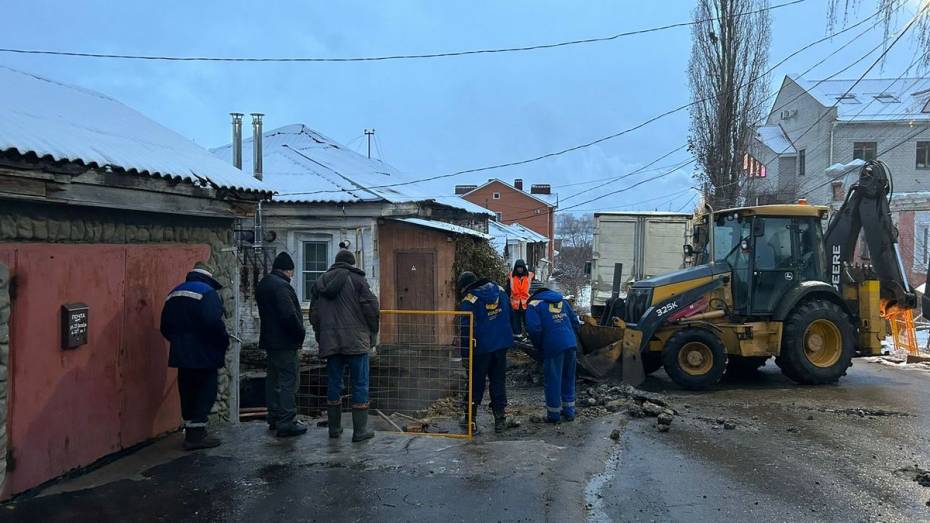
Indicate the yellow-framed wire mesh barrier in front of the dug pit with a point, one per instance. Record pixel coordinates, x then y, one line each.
418 378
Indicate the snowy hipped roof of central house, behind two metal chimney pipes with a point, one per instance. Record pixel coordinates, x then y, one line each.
302 165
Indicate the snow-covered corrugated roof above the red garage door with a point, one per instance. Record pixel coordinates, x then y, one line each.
68 123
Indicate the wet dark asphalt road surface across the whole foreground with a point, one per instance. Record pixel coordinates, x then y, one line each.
794 454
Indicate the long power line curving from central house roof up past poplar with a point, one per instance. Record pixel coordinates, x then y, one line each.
603 138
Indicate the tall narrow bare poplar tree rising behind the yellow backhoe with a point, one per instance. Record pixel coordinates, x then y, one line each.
729 56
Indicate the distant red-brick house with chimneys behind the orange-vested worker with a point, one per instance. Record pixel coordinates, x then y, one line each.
511 204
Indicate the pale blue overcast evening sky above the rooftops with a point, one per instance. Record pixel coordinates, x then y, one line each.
431 116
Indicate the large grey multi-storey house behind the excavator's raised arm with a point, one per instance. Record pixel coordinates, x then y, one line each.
815 127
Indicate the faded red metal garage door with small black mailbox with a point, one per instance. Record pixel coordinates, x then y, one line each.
69 408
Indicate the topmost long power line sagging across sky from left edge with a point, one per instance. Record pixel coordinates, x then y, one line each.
75 54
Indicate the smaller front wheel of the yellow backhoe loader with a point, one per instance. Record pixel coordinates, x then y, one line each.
694 358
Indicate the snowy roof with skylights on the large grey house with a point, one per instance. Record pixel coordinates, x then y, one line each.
883 99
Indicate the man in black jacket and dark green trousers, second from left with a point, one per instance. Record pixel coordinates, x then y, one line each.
282 335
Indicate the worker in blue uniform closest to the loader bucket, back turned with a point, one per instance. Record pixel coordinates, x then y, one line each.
552 326
